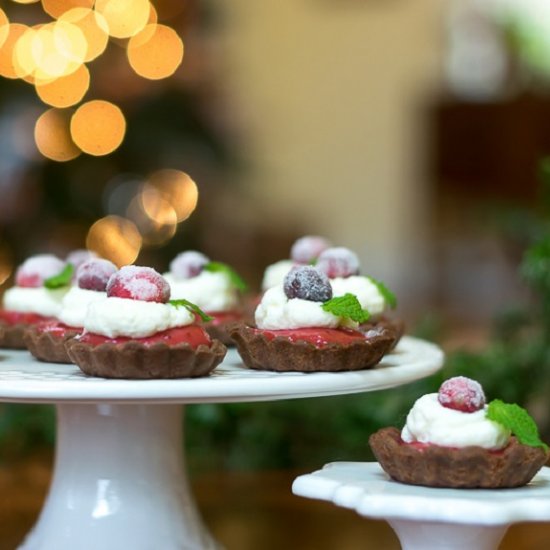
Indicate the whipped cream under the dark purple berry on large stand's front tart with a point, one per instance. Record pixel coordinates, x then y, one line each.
277 312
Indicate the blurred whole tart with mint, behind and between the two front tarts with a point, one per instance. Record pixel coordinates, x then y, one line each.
214 287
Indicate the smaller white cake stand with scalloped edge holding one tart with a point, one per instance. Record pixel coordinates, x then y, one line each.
429 518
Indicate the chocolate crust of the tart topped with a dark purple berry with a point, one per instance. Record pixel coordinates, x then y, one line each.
280 354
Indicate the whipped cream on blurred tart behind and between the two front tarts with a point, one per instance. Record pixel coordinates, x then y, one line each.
211 291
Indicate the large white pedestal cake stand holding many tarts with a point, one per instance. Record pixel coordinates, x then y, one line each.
119 478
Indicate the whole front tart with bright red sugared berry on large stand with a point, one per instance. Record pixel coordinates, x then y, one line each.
134 333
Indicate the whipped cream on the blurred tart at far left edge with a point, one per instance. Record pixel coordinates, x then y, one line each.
39 300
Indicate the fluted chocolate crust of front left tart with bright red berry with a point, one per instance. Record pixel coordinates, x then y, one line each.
135 360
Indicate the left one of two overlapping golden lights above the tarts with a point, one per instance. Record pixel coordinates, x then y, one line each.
153 215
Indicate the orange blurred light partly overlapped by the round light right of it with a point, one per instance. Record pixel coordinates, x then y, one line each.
53 138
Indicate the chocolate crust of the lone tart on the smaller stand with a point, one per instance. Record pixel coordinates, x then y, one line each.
467 467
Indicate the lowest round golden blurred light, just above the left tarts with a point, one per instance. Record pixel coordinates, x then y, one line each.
116 239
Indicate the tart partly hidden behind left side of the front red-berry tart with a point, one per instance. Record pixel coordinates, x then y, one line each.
46 340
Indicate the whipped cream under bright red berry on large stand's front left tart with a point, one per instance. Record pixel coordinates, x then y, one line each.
115 317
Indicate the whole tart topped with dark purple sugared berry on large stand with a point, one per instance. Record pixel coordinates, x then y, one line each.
301 327
